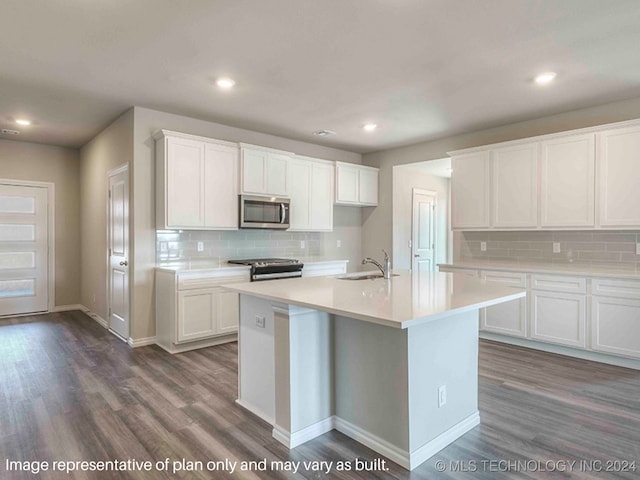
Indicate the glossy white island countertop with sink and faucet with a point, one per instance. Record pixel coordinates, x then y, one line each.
403 301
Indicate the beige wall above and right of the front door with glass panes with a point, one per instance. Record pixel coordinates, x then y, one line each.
60 166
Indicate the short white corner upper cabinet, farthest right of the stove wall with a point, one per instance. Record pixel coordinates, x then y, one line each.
356 184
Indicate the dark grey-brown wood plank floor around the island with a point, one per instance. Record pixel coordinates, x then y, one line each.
69 390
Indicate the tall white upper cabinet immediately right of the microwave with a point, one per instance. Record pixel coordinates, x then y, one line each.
310 187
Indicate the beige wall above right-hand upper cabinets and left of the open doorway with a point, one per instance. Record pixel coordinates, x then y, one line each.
377 223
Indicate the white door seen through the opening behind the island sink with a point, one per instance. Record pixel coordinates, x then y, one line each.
423 241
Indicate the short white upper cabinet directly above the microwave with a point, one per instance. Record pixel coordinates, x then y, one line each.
264 171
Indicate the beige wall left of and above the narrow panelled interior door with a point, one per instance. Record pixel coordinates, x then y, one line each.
108 150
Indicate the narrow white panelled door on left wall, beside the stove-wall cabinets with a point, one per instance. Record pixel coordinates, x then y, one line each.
118 239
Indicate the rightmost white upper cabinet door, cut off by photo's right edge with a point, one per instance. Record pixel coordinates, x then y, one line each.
619 172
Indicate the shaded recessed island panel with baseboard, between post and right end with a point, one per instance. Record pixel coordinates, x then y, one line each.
371 384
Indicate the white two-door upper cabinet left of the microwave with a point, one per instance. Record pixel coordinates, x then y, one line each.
196 182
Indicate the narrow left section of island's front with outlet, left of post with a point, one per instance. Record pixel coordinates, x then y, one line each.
256 358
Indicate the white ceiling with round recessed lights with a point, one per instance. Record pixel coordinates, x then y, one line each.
420 69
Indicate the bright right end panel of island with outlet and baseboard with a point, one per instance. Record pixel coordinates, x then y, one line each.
442 353
